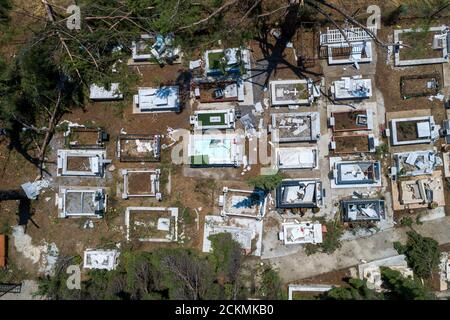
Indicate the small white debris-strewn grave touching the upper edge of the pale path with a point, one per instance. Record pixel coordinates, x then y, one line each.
301 233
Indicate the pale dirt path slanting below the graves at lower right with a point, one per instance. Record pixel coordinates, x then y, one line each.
298 266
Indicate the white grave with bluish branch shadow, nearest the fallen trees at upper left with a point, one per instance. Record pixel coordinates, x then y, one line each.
163 99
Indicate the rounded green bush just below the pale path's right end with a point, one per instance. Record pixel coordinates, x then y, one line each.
422 254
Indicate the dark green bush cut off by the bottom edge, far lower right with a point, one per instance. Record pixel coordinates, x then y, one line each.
404 288
